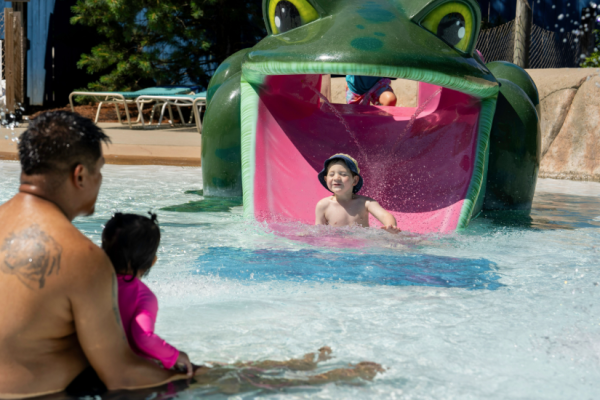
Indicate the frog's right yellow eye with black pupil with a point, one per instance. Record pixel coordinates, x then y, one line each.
453 22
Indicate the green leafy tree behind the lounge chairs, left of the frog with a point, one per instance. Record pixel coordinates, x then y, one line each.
165 42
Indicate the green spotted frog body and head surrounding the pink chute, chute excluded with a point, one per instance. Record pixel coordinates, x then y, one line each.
430 41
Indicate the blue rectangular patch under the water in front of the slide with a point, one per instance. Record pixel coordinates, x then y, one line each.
340 268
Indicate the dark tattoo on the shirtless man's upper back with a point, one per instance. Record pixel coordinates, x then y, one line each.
31 255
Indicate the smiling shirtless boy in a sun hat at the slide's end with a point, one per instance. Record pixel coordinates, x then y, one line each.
341 176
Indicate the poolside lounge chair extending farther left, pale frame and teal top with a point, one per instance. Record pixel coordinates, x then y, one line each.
127 98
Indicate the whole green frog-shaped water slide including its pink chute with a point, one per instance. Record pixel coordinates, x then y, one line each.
472 142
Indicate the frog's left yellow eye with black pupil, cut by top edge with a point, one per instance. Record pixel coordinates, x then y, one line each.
285 15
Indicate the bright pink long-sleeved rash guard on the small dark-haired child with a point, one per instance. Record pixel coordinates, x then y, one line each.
138 307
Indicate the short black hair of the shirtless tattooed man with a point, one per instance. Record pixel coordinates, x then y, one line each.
57 141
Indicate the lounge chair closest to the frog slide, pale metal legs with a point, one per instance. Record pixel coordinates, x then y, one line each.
197 101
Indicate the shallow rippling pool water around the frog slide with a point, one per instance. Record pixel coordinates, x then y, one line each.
508 309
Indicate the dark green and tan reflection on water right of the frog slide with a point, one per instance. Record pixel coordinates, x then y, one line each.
550 211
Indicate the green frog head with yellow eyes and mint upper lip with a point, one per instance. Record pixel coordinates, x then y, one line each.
429 41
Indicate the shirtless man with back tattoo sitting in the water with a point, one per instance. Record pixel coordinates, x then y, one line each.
58 290
